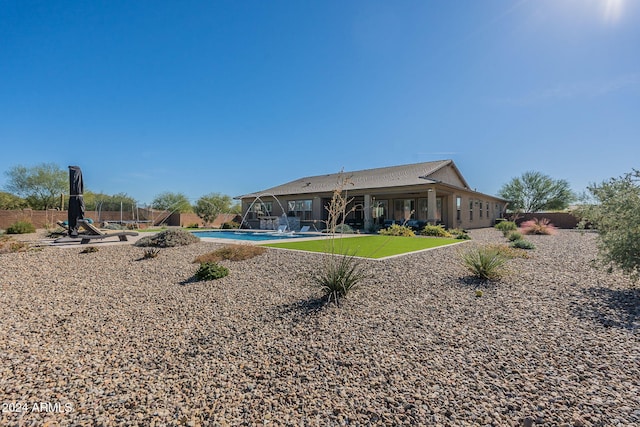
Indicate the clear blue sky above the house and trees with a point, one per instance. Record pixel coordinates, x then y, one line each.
238 96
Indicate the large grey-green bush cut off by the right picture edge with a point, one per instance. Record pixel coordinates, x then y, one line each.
616 215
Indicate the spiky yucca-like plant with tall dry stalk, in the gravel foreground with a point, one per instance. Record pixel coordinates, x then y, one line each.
338 278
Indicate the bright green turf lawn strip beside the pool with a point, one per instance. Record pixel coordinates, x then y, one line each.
367 246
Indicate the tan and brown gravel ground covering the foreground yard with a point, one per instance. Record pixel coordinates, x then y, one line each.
106 338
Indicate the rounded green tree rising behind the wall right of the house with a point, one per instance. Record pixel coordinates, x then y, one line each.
535 192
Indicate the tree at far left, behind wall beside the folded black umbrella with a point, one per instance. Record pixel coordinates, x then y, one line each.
39 185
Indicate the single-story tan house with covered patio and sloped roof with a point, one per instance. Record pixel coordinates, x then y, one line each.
434 192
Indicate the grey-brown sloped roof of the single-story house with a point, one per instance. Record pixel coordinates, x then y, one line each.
392 176
